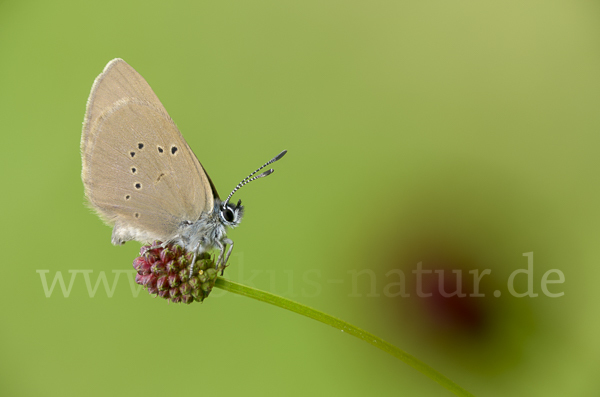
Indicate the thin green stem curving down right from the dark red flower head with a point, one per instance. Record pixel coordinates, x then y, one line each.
344 327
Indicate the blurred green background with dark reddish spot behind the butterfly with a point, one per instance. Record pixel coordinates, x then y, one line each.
459 135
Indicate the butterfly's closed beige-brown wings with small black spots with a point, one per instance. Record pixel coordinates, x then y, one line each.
139 173
